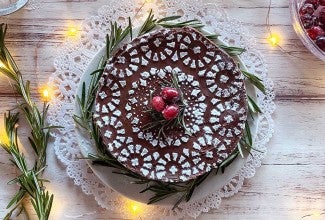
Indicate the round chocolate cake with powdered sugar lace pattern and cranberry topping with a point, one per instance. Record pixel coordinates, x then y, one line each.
171 105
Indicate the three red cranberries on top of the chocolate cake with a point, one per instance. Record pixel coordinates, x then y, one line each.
166 103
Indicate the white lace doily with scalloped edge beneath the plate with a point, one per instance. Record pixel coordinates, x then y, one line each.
74 58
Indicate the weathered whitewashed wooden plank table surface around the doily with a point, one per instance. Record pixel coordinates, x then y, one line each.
291 182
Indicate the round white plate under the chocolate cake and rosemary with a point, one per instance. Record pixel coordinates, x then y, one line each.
123 185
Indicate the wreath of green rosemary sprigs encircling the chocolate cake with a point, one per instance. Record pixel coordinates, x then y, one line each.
159 189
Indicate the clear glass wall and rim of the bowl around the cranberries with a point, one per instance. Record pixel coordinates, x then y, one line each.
294 6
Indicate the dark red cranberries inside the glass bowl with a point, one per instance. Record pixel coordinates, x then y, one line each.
312 15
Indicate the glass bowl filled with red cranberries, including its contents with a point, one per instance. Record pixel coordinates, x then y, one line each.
308 17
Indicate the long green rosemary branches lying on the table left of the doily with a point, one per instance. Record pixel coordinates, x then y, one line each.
29 180
